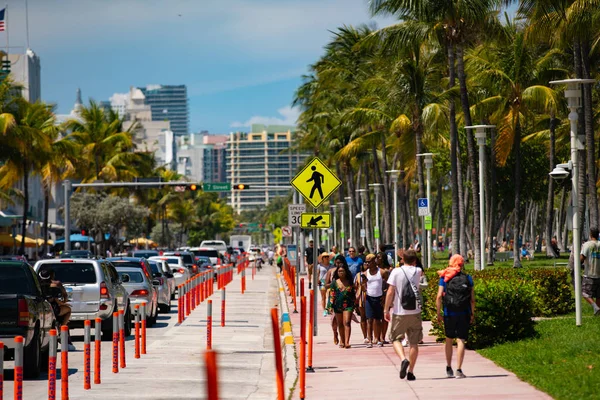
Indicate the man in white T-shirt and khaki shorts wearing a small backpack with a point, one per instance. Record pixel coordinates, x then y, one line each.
404 296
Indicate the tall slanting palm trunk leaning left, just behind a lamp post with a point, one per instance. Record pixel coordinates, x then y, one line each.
471 151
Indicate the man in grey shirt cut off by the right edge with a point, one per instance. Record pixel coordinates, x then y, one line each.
590 254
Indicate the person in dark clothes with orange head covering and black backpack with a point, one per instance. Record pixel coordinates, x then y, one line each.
457 295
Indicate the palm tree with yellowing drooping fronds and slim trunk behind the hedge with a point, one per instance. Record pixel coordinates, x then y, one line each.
512 69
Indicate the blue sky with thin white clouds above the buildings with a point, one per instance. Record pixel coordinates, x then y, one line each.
240 59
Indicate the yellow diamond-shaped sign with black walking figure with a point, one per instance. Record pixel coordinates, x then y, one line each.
316 182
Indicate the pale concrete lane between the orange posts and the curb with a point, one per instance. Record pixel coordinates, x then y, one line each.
174 366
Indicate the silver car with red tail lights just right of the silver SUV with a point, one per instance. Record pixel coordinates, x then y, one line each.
140 291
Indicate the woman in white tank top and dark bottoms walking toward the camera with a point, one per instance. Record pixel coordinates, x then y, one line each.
374 296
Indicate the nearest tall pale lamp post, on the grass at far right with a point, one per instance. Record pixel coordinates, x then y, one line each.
573 95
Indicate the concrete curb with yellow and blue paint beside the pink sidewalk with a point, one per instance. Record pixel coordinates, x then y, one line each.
288 346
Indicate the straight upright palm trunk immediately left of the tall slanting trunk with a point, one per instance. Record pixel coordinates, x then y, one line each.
454 165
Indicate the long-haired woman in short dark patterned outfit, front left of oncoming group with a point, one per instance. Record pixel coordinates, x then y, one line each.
341 299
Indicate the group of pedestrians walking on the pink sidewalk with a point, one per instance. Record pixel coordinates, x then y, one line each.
368 287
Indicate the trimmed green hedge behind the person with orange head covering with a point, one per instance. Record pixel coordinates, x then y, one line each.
506 302
